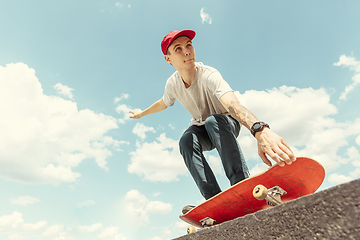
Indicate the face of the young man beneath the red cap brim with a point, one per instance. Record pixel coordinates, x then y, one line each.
181 54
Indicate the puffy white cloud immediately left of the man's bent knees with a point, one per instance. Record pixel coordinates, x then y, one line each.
158 161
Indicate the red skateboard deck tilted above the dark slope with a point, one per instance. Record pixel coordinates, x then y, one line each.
302 177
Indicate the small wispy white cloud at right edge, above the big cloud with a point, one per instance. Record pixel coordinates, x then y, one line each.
354 66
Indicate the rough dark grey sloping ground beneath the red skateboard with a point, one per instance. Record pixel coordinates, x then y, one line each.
330 214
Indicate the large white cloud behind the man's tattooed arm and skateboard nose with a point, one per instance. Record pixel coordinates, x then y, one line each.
304 118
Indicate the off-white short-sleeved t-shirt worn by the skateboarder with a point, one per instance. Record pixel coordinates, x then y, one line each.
201 99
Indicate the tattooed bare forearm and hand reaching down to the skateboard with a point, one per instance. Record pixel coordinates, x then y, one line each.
268 142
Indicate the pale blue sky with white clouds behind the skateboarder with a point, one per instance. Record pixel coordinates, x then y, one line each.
74 166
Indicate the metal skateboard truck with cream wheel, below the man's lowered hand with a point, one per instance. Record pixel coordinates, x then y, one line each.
272 195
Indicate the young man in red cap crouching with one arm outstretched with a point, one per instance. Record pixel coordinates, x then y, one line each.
217 117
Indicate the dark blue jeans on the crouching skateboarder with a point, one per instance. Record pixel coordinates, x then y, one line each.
220 132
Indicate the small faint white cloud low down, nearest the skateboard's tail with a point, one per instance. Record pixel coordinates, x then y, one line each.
139 207
